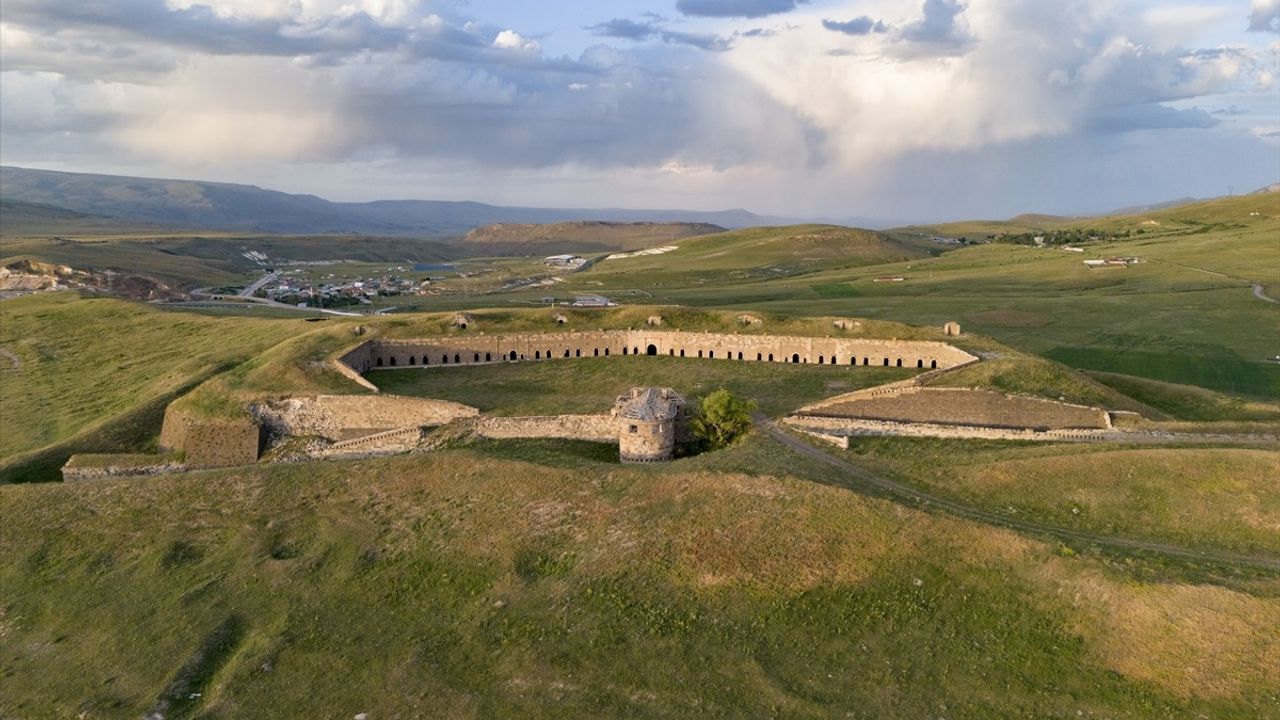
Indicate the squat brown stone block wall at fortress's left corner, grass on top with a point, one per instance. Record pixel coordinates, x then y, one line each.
216 443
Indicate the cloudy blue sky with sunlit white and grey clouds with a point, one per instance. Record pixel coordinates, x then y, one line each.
894 110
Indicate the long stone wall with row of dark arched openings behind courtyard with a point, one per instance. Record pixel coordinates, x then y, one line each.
483 349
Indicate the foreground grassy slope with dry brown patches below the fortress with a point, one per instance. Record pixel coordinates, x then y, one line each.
461 586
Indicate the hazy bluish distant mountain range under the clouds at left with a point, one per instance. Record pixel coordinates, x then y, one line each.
228 207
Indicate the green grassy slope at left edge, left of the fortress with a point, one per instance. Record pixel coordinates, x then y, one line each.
84 363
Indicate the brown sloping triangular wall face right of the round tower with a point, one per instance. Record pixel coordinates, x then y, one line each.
962 407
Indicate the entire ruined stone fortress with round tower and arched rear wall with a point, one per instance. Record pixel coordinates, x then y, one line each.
646 423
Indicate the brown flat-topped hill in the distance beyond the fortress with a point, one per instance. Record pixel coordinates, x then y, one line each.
578 238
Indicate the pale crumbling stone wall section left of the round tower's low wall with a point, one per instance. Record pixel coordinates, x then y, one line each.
341 417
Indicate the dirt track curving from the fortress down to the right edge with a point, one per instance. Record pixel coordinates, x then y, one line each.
971 513
